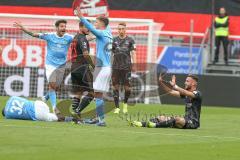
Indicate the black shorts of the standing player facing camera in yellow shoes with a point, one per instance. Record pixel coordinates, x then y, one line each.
121 77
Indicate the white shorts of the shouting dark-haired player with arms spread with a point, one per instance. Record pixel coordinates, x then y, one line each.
54 74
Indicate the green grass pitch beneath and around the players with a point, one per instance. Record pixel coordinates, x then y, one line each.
217 139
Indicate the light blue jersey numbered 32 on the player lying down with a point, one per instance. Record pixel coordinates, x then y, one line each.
20 108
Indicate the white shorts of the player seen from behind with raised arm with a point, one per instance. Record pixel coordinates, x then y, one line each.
101 79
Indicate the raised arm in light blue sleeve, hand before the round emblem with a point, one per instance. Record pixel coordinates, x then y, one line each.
87 24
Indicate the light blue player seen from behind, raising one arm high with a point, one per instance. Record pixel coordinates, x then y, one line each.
102 72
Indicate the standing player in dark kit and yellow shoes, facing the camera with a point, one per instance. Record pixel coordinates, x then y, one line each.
123 51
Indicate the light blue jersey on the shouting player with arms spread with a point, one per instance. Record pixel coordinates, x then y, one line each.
57 48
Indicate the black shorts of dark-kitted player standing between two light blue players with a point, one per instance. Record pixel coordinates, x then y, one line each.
82 79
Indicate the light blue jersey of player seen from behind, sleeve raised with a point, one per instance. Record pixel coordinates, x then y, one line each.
103 44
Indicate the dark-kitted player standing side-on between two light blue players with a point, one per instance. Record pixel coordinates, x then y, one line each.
81 76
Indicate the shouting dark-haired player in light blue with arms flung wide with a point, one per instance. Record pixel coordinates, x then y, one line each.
57 48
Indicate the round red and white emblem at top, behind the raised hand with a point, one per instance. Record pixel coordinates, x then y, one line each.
92 7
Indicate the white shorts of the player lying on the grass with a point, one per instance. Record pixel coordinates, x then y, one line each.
42 112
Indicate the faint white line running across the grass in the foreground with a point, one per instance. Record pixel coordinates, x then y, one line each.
134 132
